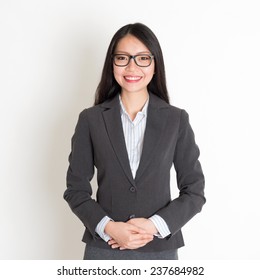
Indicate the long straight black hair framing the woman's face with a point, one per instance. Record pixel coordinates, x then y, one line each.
108 86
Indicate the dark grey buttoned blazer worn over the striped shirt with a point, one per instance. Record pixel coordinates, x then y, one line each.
169 140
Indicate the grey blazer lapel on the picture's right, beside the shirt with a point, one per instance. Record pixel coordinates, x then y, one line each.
156 120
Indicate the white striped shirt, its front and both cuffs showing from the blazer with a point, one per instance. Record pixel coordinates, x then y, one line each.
134 138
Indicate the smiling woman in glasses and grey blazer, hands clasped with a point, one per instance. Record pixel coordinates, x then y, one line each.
133 136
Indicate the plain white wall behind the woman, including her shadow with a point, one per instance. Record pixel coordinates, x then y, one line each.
51 57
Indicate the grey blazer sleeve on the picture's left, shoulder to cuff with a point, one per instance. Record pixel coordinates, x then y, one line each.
79 174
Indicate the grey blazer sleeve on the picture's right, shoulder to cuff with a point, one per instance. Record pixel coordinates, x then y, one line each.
190 179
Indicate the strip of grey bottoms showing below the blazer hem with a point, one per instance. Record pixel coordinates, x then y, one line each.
94 253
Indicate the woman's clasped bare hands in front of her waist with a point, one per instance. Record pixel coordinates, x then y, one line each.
133 234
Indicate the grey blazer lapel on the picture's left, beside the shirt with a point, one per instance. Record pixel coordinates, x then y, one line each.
112 119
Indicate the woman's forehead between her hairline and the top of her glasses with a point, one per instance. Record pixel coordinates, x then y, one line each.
130 44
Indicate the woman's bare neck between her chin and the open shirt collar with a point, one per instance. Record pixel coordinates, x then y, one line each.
134 102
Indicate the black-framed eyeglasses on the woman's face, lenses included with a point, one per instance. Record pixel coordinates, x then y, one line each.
141 60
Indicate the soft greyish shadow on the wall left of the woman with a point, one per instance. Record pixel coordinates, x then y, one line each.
68 228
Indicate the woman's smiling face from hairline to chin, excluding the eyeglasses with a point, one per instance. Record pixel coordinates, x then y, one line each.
133 78
